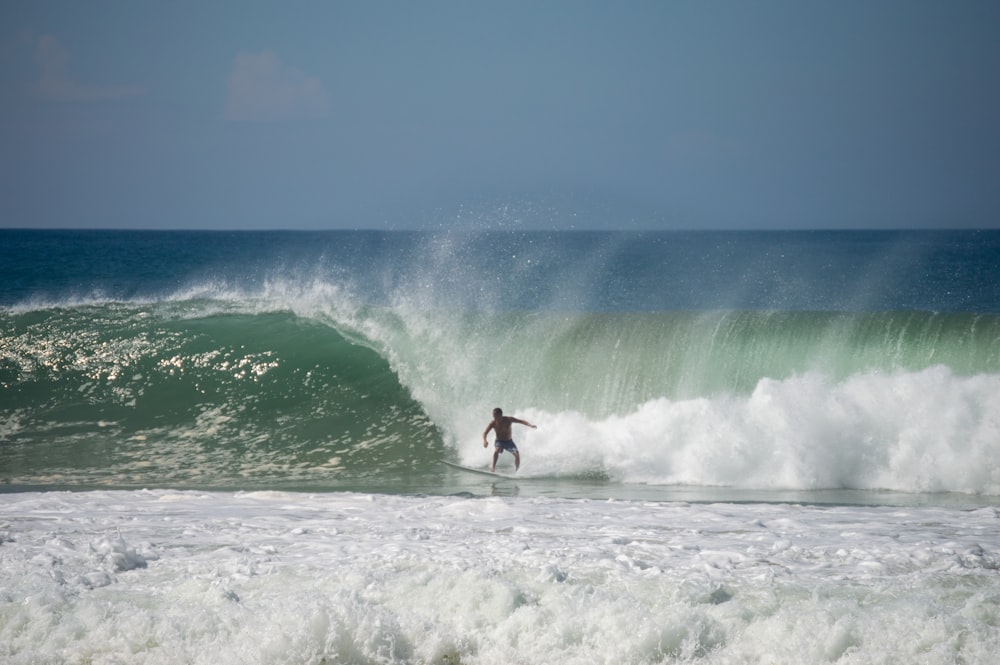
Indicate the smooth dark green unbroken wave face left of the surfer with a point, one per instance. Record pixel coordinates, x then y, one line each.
141 396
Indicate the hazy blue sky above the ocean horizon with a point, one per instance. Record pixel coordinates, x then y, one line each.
770 114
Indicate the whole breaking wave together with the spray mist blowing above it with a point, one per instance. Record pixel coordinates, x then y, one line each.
344 361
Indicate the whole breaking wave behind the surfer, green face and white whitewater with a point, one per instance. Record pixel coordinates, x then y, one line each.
299 382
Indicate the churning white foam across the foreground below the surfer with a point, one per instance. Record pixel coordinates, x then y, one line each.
180 577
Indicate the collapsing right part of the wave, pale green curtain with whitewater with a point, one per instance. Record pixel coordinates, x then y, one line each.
744 399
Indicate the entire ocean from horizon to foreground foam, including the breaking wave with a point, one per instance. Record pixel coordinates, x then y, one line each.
752 447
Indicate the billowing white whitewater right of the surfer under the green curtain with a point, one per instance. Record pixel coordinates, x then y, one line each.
927 431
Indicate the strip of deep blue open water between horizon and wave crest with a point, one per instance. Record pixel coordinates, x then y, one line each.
950 271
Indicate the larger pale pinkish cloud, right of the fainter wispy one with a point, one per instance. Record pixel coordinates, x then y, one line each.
261 87
